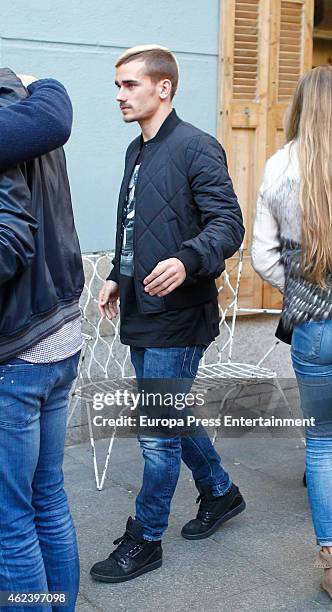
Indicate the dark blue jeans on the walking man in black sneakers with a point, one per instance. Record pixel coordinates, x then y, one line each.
163 456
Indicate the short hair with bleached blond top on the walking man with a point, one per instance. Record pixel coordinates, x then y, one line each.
160 63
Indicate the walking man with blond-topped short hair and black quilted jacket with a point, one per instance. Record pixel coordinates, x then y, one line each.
178 220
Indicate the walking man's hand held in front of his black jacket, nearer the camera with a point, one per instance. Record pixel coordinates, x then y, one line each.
165 277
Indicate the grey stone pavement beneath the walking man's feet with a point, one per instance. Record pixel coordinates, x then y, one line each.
260 560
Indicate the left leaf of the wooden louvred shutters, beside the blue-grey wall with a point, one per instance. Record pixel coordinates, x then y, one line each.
242 113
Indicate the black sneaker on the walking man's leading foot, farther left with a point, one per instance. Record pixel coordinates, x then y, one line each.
133 556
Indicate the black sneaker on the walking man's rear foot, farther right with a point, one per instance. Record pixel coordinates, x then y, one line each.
212 512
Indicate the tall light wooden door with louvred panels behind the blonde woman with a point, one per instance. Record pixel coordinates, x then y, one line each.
265 46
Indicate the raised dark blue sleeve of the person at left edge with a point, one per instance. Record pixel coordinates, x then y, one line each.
36 125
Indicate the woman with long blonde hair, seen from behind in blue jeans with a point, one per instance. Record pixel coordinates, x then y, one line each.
292 250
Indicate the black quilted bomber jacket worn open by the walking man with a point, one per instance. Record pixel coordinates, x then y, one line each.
185 208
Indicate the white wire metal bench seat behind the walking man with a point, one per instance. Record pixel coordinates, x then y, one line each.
104 359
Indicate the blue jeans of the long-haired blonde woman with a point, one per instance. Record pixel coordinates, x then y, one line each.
312 362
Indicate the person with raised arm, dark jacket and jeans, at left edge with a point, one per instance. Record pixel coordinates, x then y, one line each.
41 279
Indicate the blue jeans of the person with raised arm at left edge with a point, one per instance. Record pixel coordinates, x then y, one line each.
38 549
